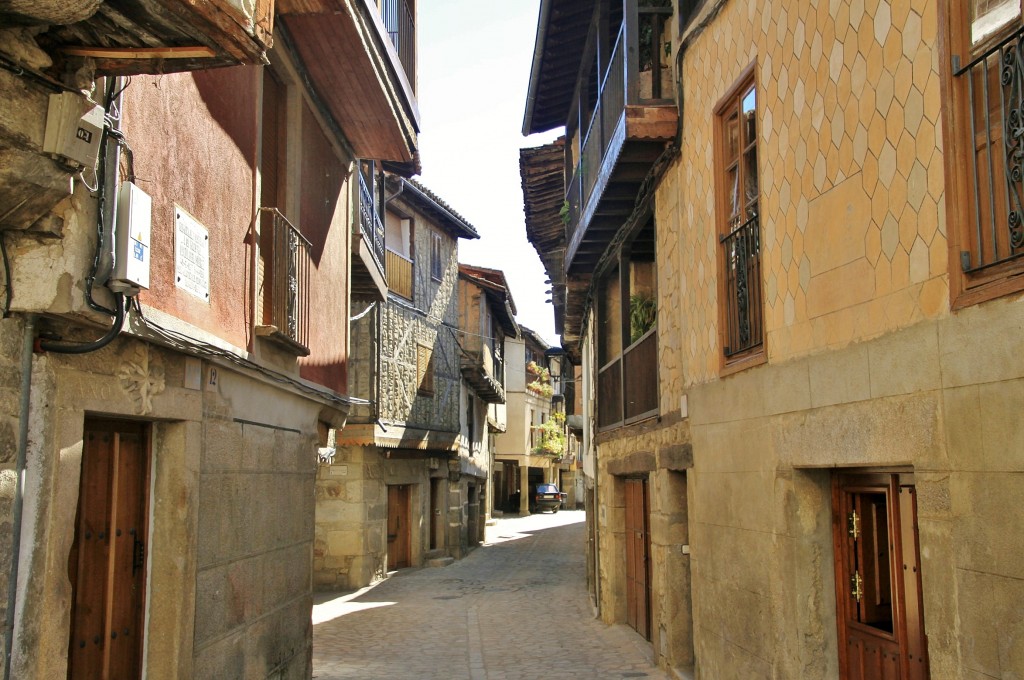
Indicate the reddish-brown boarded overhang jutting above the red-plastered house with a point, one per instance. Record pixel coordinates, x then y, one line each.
352 64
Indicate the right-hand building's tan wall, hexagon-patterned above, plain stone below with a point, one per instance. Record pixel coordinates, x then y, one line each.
867 366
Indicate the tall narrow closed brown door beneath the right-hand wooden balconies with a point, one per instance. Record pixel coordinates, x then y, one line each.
637 550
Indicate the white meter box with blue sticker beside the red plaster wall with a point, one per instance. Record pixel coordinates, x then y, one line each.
132 240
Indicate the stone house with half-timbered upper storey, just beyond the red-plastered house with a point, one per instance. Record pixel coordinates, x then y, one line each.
403 488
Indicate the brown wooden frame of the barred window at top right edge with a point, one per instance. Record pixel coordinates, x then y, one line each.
966 289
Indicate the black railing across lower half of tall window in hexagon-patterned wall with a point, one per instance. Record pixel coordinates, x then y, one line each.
744 308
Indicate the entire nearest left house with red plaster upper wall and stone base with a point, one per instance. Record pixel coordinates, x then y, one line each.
162 427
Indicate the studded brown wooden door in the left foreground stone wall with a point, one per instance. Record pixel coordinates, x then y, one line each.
107 566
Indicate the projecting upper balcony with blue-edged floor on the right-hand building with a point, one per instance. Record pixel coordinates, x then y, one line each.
620 138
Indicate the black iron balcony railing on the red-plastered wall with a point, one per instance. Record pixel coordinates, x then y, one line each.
287 269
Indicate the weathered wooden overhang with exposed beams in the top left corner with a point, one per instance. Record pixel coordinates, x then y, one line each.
126 37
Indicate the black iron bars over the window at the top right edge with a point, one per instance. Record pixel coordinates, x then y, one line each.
996 100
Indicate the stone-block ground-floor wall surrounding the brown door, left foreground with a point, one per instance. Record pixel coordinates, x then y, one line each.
231 508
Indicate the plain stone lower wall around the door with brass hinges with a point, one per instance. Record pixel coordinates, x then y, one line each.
934 396
